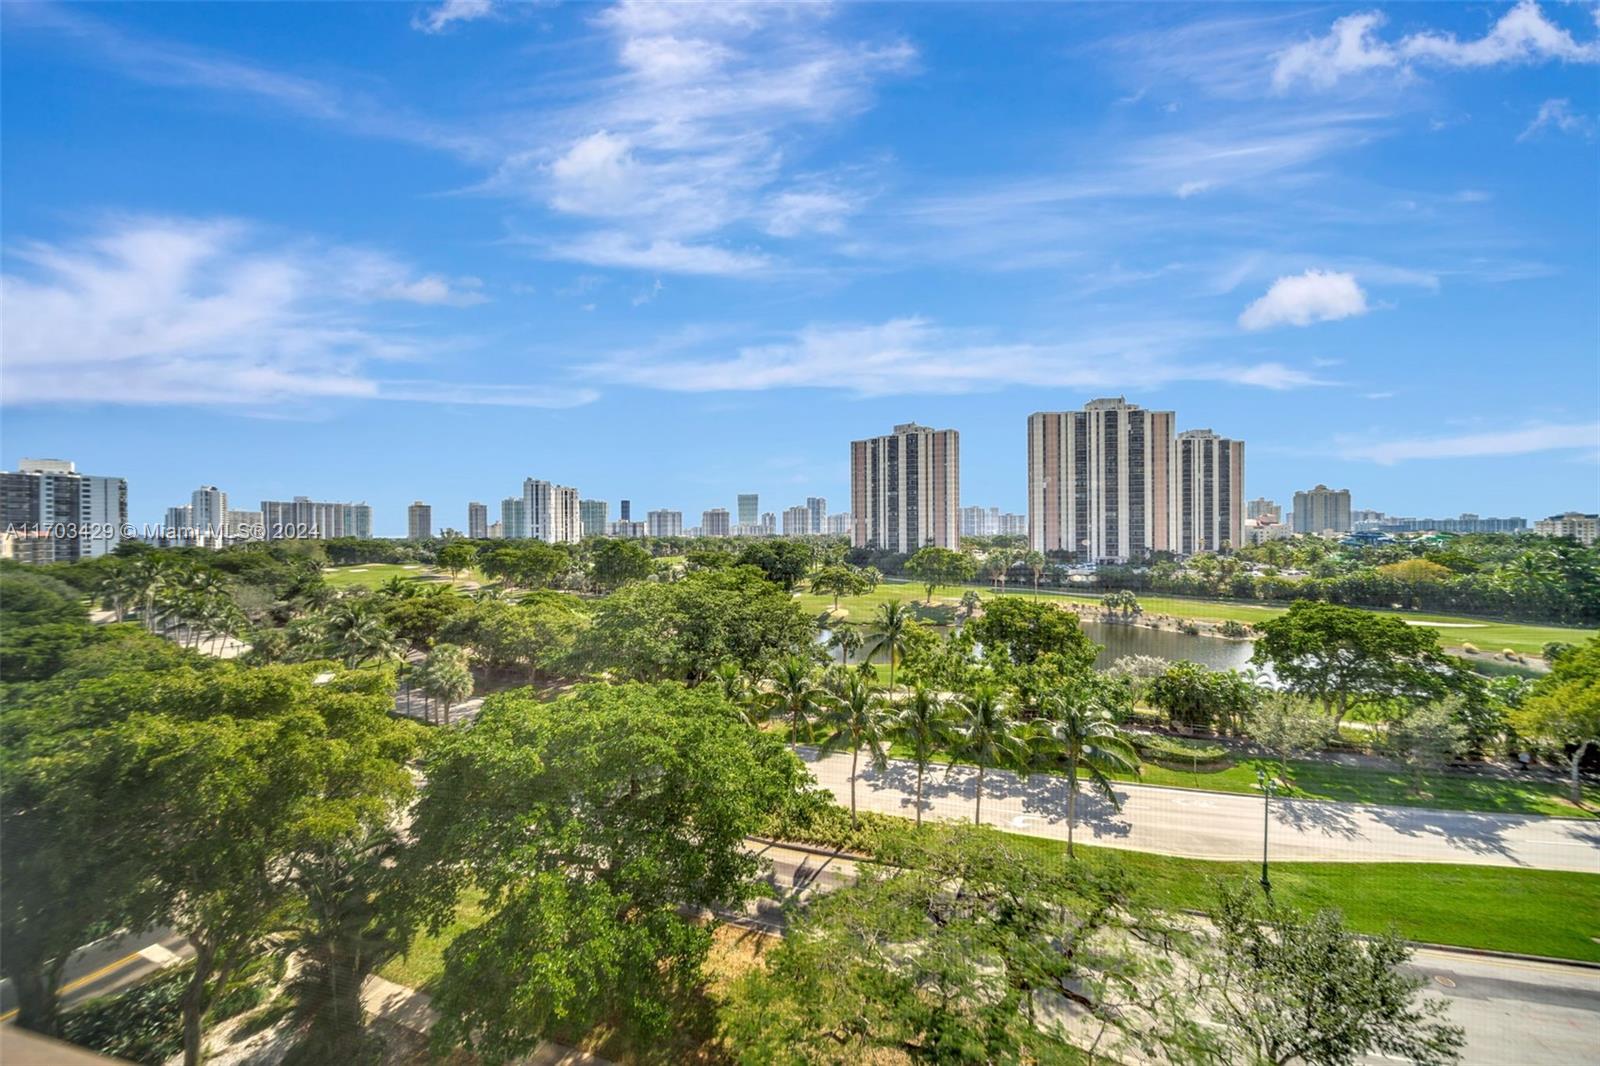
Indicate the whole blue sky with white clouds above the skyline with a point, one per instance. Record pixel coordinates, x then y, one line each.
671 254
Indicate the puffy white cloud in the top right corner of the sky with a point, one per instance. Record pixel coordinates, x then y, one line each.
1522 36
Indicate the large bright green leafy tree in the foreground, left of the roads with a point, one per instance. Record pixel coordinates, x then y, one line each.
590 824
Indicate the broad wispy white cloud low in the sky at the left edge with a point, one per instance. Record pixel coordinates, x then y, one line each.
212 311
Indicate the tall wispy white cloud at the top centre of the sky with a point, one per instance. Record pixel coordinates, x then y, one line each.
690 138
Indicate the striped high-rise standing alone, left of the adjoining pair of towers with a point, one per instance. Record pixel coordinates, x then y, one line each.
906 489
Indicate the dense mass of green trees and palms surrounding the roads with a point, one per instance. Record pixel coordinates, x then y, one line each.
641 727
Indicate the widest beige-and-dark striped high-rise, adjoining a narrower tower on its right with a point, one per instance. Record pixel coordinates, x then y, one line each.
1098 481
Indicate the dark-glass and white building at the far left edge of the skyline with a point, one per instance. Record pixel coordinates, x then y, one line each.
65 515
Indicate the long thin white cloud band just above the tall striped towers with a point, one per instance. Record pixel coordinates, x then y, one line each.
913 356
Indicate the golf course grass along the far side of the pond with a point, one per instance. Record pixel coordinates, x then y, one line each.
1487 635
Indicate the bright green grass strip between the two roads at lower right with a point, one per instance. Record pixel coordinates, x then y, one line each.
1543 913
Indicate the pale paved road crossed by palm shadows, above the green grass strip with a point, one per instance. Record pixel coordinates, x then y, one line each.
1225 827
